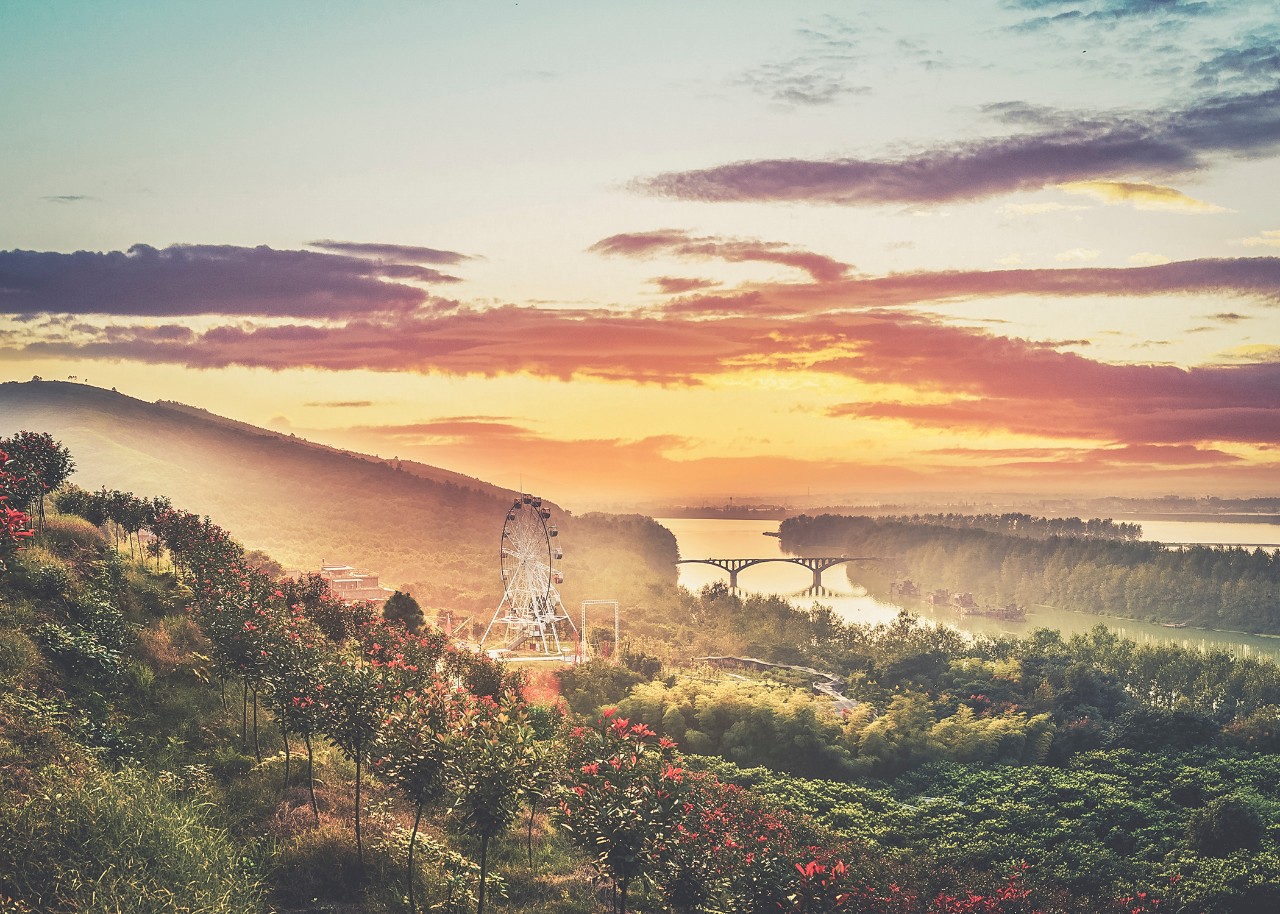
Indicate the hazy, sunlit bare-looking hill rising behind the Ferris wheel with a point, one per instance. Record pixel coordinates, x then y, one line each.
304 504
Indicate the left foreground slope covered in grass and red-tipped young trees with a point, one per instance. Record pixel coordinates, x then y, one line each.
154 728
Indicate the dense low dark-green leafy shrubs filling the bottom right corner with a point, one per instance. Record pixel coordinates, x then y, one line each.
1108 822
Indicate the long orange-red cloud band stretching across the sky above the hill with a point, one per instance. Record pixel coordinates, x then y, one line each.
976 381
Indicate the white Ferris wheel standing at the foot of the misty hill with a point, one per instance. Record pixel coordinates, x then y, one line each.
531 610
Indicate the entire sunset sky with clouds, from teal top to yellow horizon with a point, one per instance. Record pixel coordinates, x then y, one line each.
668 252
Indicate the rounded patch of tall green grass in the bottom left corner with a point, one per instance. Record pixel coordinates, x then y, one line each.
122 842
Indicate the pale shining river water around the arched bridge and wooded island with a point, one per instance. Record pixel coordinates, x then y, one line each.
716 538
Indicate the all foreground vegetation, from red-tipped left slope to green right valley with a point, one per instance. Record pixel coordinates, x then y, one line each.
184 733
